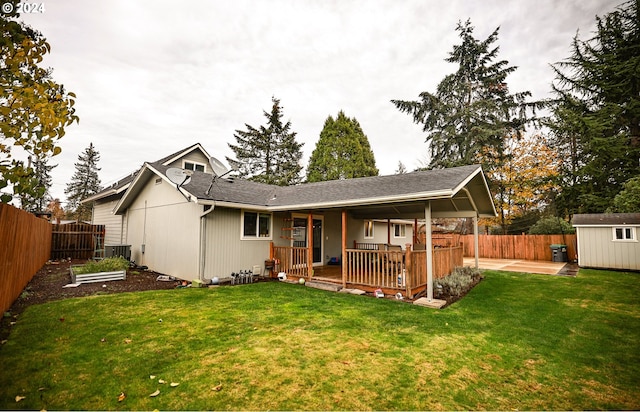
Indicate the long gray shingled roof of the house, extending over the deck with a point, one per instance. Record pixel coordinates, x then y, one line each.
455 189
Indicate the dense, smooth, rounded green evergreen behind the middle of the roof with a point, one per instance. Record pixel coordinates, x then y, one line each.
342 152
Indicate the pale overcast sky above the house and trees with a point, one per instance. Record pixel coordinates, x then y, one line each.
155 76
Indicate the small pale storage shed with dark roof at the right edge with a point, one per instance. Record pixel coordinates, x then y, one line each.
608 241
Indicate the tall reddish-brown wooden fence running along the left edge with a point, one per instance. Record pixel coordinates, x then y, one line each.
25 246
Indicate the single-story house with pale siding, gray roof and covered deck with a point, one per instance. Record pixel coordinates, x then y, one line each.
212 226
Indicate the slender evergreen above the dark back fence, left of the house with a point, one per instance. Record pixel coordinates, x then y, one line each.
84 183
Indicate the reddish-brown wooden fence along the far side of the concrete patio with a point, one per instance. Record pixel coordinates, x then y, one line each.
528 247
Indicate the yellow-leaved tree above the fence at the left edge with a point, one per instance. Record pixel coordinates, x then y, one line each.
34 110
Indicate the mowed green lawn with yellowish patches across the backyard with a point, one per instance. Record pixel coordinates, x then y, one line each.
517 341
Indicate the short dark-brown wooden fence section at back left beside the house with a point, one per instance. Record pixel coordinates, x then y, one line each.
76 240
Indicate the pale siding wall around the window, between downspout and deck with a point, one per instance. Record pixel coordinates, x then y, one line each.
225 251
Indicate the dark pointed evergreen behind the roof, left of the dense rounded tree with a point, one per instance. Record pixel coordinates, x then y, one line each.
269 154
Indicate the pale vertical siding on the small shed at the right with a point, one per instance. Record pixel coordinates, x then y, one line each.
597 249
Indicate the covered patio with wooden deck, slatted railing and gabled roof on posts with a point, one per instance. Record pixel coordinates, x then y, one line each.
416 197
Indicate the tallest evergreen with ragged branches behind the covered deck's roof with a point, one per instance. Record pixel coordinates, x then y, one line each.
472 108
